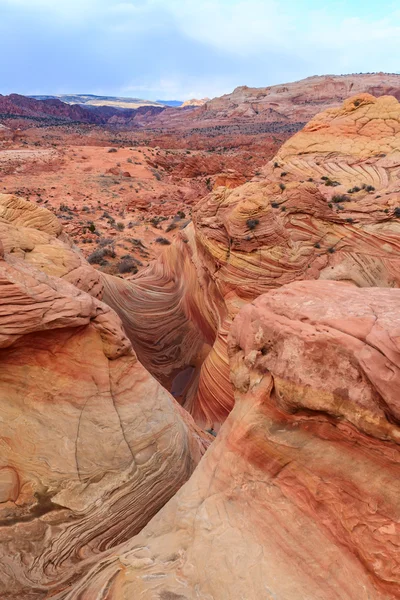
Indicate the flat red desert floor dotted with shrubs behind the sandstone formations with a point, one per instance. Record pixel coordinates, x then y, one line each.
120 203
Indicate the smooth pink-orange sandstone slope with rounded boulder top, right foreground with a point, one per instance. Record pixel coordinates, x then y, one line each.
298 498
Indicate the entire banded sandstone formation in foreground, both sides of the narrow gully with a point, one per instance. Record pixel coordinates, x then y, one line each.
292 278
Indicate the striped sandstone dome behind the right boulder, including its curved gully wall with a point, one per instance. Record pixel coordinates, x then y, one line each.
327 207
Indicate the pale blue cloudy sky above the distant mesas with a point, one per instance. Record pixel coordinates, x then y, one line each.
180 49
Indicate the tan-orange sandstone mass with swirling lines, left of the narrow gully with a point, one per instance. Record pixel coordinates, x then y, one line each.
91 445
